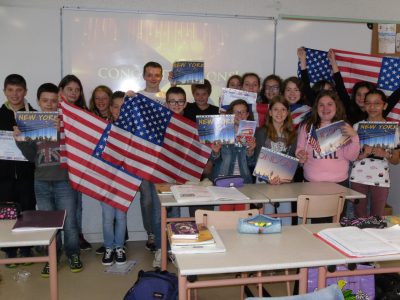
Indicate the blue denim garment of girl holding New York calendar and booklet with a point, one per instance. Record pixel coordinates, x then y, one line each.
224 163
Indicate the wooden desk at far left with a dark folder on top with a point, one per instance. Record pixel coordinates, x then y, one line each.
34 238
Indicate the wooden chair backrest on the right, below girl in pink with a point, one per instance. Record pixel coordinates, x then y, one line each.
320 206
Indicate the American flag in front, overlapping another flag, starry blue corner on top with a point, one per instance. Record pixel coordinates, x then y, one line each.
152 142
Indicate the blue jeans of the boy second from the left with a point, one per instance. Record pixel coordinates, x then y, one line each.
59 195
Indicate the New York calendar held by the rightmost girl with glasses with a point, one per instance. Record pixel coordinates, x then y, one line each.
377 134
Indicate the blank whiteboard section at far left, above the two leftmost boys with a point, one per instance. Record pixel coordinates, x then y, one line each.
30 46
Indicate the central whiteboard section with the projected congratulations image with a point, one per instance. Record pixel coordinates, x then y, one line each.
111 47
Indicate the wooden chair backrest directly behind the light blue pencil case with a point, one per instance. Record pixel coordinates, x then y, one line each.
222 219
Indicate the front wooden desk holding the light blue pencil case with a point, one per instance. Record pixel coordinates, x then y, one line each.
295 247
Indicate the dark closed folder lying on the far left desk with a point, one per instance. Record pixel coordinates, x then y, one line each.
34 220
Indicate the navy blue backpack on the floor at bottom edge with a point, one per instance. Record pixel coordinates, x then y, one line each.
154 285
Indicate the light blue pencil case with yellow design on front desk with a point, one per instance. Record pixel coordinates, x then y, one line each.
259 224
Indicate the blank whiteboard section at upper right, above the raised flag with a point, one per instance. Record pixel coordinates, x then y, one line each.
321 35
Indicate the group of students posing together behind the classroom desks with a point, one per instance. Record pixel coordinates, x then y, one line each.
293 109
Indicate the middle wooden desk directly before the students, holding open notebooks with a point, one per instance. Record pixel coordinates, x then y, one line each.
258 193
